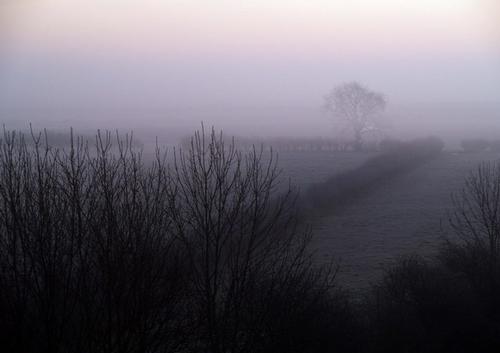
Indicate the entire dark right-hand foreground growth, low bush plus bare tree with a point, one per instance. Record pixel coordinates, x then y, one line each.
450 304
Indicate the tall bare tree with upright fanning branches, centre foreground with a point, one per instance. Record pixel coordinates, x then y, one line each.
242 242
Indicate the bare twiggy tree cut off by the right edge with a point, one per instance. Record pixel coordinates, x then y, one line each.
476 223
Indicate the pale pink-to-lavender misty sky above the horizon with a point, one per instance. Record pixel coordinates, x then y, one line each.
154 54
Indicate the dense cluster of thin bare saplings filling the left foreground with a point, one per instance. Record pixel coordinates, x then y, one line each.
88 262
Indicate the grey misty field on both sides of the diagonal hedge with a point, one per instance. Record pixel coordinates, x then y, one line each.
406 214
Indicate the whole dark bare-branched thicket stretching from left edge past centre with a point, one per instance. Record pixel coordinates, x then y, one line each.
100 252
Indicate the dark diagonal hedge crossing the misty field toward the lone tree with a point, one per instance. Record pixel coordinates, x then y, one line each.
397 157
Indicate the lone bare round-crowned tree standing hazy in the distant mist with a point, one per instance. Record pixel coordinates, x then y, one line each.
357 106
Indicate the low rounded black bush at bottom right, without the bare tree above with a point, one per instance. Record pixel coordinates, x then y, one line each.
422 307
